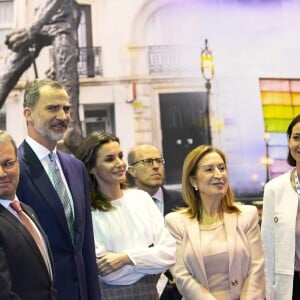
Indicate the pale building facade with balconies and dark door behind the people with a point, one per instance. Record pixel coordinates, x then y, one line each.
140 75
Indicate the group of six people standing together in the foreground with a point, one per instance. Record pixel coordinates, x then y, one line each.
71 227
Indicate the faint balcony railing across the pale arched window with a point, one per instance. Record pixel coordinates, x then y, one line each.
173 59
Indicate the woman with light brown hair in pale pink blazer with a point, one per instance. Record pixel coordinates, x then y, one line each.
218 252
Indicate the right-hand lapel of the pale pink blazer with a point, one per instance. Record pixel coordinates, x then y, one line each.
230 221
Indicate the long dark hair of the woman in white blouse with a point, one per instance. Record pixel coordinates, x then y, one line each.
87 153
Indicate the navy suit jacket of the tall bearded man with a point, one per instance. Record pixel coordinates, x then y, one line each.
75 265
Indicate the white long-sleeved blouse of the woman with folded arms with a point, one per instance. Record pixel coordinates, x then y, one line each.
136 227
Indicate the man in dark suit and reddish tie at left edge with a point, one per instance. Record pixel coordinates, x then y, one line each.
26 267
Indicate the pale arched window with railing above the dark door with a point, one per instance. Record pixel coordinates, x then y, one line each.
169 34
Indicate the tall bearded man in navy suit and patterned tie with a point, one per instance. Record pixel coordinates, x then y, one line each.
55 185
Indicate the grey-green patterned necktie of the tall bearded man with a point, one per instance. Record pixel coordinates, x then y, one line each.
61 190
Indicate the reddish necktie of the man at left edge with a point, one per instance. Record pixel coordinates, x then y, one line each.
27 222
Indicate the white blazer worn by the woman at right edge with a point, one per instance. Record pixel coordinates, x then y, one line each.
280 205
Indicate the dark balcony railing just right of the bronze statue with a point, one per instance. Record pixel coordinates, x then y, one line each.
90 62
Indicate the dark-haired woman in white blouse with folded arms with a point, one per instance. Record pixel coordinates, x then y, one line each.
132 243
